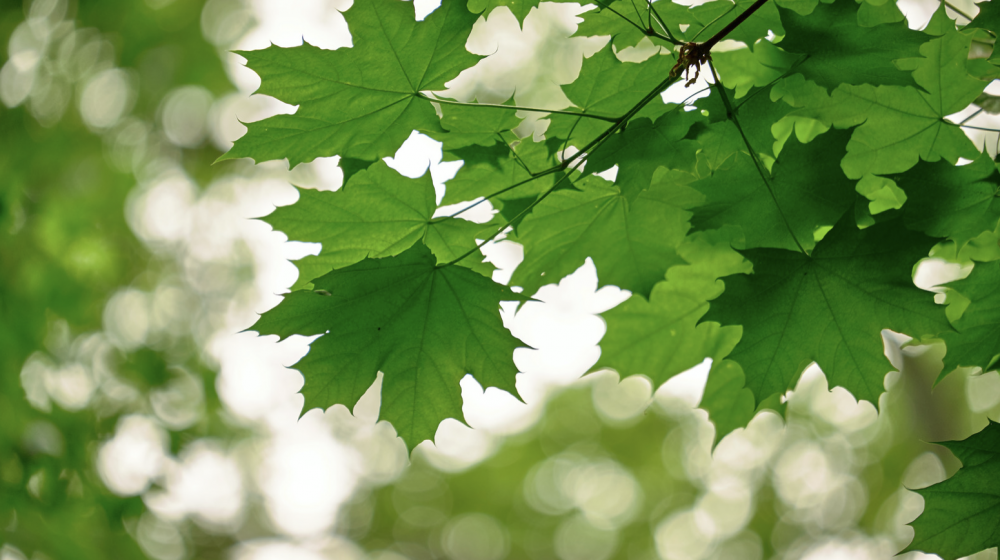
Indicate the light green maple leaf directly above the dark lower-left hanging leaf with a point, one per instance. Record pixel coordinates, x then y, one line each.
379 213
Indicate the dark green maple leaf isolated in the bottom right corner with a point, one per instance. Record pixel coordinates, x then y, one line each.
961 514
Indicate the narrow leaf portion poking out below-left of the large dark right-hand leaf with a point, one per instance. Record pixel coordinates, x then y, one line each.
728 403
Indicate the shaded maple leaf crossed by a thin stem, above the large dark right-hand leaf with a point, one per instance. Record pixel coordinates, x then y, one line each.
804 190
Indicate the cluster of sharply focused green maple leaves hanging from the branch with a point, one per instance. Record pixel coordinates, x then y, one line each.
772 224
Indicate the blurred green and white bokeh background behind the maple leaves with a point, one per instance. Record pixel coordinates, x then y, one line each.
138 420
